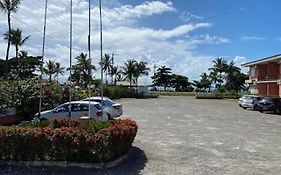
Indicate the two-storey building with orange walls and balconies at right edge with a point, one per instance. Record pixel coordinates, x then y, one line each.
265 76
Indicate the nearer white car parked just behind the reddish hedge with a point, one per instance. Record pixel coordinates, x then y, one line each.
78 109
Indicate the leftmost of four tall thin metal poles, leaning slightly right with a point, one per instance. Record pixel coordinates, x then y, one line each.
43 54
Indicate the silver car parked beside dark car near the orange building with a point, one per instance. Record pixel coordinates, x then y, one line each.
249 101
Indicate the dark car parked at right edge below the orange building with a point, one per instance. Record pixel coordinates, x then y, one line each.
270 104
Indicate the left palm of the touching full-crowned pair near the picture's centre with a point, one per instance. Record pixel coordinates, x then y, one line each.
129 70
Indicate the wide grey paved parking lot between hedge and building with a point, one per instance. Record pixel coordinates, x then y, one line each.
182 135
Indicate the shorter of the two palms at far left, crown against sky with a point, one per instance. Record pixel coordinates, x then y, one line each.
15 37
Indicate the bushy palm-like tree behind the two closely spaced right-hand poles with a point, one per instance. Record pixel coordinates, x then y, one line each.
82 74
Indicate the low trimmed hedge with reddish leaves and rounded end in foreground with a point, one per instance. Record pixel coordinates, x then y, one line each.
67 143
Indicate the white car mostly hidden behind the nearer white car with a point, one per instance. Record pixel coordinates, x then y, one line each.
112 109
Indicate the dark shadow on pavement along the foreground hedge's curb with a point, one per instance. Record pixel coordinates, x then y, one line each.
131 166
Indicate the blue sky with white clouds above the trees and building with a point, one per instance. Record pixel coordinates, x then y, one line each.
185 35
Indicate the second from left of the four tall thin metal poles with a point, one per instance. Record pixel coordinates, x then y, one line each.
70 59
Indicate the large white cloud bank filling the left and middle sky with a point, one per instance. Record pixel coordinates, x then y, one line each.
123 34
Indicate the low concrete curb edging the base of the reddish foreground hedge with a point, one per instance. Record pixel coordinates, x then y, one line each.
65 164
